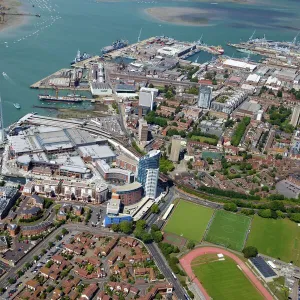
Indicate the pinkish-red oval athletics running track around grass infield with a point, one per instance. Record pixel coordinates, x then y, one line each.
186 262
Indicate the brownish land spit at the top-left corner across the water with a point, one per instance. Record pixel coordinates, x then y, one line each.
12 22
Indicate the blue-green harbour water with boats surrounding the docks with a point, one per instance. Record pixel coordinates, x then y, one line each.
43 45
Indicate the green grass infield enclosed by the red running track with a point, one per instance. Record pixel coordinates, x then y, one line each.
224 280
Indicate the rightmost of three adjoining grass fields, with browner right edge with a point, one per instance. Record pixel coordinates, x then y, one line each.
276 238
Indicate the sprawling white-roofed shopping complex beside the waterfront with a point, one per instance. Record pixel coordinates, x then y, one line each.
55 151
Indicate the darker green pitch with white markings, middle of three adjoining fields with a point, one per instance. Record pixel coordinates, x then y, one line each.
228 229
